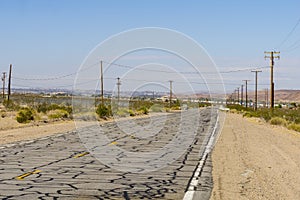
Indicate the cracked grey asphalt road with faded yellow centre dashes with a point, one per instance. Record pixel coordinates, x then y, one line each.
61 167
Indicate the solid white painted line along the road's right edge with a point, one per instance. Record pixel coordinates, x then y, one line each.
189 195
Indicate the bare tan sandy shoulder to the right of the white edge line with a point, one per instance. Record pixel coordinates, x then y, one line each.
255 160
